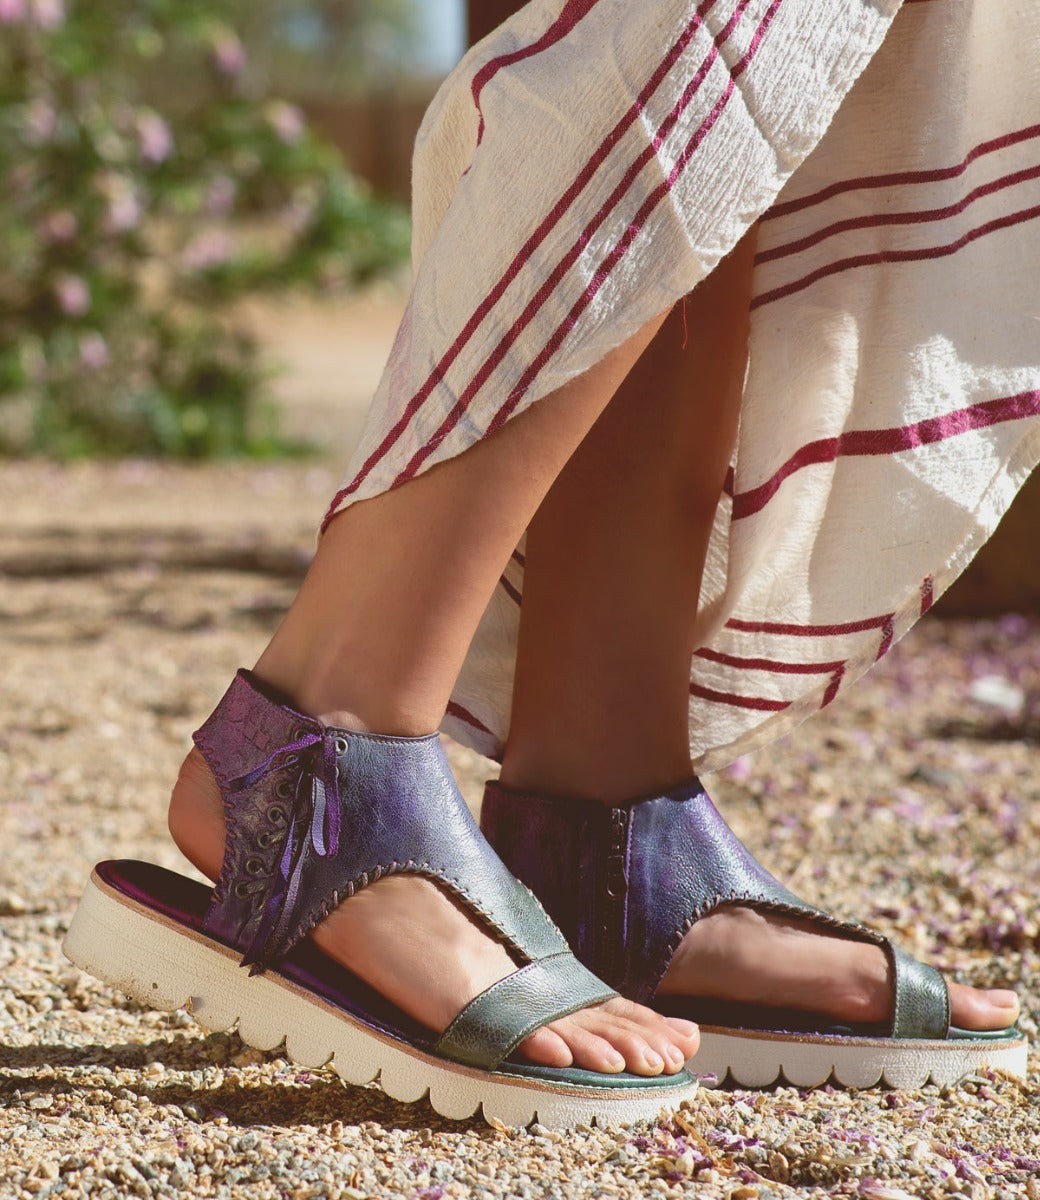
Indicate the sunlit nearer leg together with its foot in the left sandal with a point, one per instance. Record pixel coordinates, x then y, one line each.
375 641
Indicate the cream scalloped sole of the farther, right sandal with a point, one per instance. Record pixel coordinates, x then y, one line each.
750 1059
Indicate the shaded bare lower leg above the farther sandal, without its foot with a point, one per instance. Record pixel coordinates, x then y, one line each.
618 549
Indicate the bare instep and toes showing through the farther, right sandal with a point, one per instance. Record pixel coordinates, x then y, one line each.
766 959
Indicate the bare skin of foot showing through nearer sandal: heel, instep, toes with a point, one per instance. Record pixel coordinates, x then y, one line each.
442 959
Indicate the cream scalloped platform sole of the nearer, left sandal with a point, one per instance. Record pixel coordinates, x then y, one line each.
166 968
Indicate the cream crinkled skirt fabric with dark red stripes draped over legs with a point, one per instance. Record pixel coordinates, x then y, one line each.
593 160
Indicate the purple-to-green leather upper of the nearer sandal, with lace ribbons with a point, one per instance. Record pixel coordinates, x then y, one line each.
316 814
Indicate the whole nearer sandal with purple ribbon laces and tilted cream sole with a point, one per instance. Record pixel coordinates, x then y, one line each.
314 815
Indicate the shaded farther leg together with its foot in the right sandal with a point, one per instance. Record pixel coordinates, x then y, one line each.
614 572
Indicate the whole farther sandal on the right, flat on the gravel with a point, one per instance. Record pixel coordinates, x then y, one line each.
626 914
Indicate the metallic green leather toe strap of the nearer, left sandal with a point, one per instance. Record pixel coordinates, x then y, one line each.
488 1031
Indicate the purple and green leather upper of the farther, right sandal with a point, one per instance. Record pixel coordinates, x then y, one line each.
626 884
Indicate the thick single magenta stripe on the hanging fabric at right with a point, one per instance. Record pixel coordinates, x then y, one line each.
871 443
